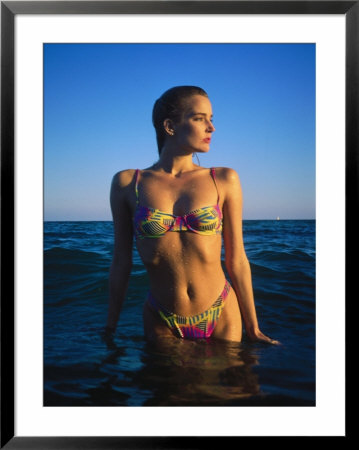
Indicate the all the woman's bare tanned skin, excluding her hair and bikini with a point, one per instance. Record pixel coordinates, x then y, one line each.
184 268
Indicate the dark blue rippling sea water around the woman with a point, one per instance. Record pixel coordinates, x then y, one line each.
83 369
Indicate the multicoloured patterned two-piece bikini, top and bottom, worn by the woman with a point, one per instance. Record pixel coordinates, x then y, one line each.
206 221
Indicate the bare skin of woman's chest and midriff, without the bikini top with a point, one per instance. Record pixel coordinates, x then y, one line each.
184 267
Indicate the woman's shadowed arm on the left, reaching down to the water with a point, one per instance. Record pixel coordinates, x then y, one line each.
122 252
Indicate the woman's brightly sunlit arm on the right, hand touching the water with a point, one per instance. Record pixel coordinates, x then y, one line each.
236 260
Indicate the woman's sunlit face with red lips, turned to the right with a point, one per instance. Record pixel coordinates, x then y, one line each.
195 130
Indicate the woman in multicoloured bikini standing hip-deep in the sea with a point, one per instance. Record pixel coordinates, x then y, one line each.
178 213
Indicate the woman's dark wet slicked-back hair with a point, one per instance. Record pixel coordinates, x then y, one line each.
171 105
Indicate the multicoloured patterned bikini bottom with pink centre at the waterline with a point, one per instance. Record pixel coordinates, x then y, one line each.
198 326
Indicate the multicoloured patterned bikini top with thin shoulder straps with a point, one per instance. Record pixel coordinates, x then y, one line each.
153 223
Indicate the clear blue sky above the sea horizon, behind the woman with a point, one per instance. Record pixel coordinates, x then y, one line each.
98 101
